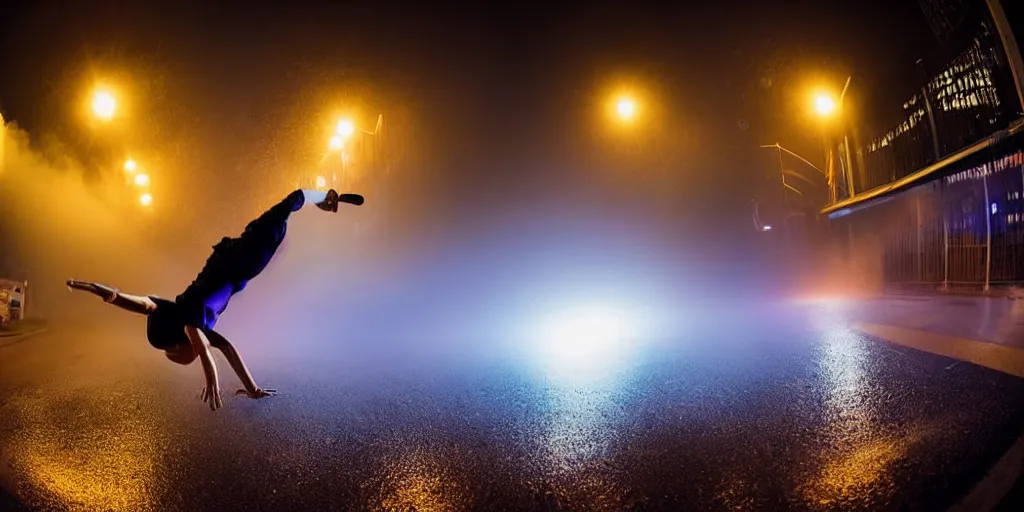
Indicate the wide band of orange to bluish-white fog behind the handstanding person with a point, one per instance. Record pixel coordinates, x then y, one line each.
486 268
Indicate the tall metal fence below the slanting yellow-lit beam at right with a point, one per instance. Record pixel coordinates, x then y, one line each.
964 231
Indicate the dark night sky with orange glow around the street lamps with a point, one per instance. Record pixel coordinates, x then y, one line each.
501 105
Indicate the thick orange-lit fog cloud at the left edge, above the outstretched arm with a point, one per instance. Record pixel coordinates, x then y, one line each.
56 227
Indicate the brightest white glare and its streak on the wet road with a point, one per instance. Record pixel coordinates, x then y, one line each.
585 354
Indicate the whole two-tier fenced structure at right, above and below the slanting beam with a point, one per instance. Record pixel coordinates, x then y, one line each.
942 199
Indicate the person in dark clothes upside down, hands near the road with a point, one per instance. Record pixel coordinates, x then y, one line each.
184 328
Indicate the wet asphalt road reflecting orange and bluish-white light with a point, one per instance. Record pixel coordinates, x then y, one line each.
762 410
